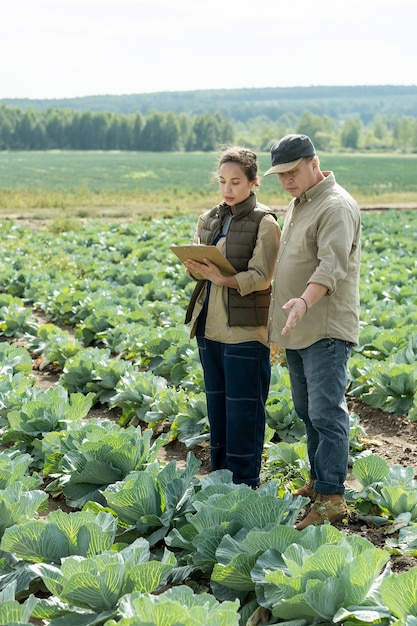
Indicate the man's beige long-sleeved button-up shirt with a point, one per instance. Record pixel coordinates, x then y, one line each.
320 243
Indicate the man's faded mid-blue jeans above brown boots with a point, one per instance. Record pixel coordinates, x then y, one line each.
318 377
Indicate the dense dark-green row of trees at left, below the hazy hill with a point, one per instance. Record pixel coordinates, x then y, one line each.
63 129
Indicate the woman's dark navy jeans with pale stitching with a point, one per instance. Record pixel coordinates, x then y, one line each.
237 378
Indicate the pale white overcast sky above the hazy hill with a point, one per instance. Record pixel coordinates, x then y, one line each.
70 48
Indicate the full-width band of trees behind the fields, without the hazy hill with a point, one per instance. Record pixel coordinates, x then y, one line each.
160 131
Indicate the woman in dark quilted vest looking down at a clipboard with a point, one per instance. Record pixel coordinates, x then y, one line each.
228 315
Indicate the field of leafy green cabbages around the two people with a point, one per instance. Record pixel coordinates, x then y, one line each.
136 540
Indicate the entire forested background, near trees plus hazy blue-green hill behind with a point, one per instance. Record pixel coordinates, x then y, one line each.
336 118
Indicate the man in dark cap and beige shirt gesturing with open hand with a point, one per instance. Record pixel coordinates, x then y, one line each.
314 314
